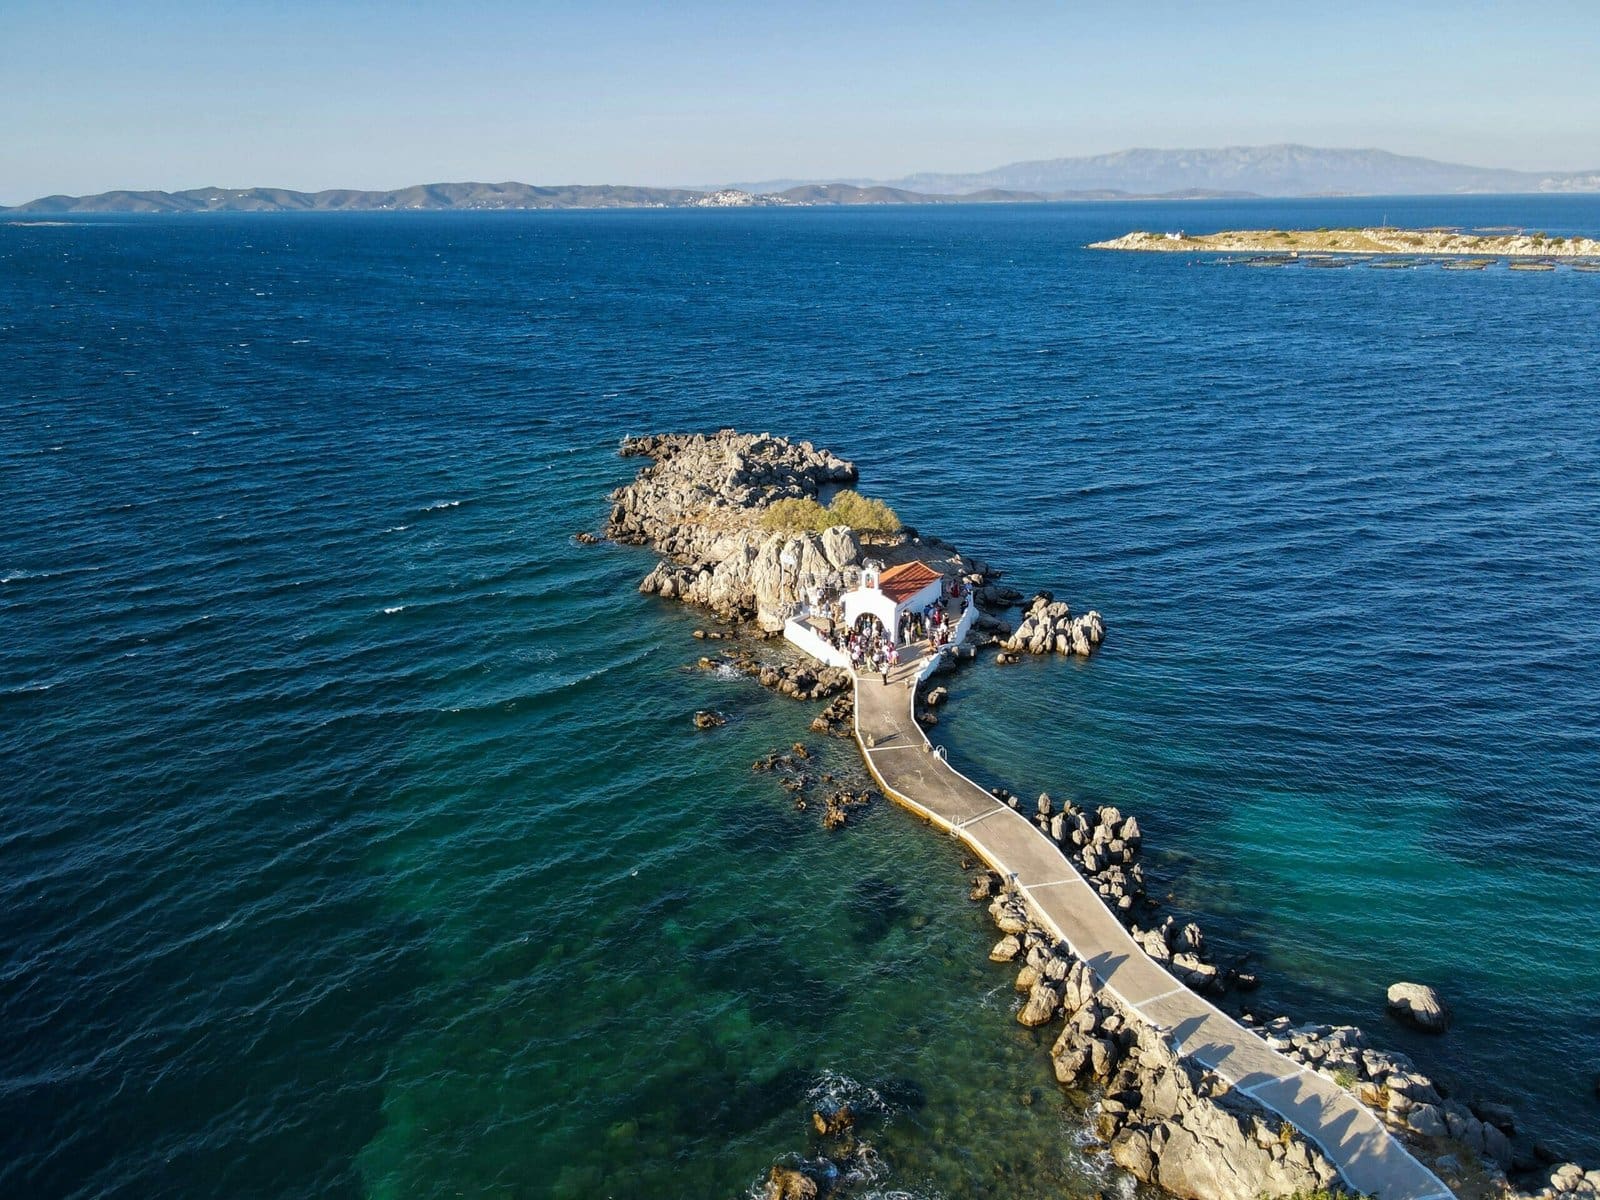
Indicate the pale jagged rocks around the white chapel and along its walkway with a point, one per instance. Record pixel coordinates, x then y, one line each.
1162 1114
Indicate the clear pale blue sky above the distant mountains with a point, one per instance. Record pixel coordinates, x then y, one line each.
348 94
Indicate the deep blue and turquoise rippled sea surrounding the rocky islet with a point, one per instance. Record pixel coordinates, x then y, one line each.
359 842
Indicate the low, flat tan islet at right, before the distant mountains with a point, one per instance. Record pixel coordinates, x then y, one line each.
1382 241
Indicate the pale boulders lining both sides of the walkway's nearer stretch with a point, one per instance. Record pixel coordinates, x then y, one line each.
1182 1127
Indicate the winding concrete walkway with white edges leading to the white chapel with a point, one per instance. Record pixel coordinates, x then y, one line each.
902 759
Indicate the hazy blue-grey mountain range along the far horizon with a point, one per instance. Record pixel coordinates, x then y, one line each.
1129 175
